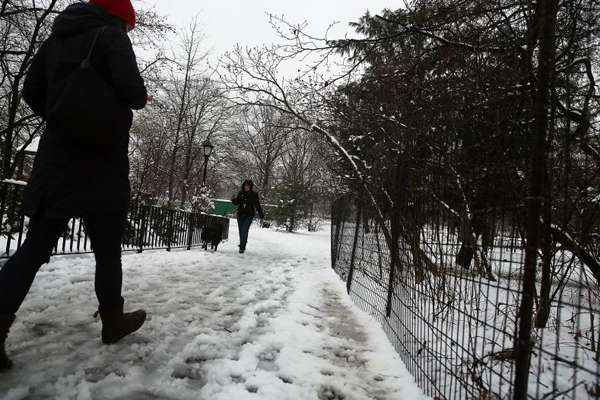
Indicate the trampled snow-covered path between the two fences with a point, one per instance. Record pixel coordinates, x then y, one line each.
274 323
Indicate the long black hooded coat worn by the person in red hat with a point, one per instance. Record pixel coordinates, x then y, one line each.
69 179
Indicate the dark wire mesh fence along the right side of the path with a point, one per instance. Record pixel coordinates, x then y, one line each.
451 305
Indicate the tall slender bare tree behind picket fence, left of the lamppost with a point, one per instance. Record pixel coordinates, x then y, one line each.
188 108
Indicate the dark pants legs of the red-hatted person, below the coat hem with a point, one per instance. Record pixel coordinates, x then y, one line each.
105 233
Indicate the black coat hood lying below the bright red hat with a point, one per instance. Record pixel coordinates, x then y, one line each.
82 17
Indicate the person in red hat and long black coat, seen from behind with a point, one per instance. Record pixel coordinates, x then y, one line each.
73 180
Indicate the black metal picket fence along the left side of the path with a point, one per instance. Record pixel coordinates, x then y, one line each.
147 228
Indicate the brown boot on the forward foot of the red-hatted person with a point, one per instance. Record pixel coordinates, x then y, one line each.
116 324
